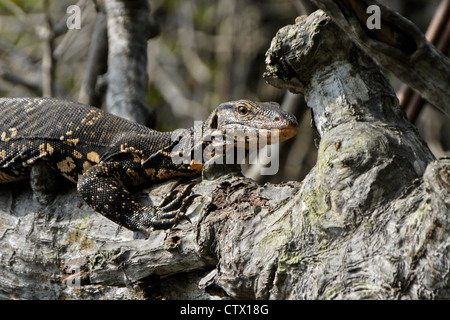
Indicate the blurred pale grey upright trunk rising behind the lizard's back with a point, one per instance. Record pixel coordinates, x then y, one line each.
129 25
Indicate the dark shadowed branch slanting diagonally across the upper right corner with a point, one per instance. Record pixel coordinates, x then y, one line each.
398 46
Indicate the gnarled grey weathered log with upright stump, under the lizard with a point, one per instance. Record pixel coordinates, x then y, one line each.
369 221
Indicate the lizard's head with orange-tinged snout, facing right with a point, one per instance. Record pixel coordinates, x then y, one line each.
253 119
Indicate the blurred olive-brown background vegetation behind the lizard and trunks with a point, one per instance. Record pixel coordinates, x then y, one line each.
208 52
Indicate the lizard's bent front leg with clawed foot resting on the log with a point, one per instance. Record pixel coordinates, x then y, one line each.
104 188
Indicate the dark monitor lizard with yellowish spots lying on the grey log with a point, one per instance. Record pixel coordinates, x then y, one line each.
109 157
